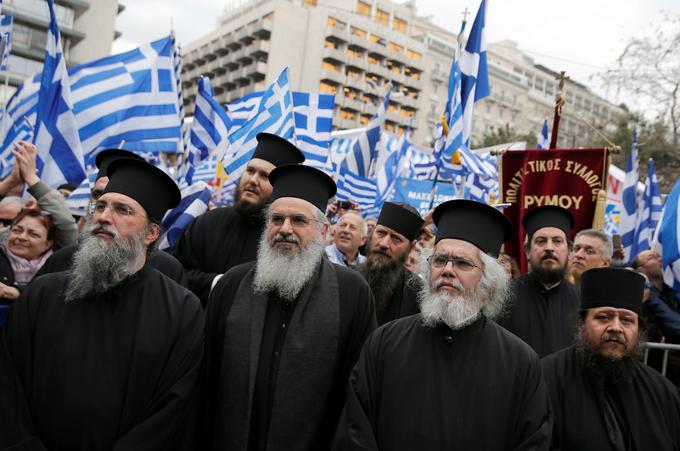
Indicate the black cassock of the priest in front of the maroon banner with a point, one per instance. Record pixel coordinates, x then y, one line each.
544 318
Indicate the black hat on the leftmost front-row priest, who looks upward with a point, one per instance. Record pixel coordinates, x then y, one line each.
155 191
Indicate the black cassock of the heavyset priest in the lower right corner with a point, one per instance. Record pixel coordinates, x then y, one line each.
642 413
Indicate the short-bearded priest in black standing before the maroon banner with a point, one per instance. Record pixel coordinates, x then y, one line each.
543 306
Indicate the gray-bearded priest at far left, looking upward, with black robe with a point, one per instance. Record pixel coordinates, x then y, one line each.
105 356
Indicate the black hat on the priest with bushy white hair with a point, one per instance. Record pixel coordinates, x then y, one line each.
474 222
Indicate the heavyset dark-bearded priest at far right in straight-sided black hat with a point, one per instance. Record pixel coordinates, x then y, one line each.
603 397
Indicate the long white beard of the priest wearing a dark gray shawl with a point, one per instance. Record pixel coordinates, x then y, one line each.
285 275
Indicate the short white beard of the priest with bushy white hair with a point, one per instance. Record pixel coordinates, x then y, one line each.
456 312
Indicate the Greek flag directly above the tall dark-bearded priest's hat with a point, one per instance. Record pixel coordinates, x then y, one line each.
274 115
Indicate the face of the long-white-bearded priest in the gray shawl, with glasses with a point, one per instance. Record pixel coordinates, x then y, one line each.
292 225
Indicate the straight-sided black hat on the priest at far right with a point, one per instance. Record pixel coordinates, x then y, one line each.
612 287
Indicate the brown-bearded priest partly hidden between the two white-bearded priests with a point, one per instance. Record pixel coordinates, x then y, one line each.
394 287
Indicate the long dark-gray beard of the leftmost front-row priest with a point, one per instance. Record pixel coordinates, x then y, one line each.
100 264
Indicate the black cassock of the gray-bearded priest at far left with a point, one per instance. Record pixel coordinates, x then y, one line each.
113 371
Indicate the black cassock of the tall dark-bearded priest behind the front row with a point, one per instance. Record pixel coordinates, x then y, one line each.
214 243
